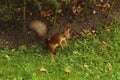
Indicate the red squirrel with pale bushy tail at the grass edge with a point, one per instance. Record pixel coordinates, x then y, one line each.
56 40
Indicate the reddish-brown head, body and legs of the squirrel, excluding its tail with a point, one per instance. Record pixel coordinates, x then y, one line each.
57 39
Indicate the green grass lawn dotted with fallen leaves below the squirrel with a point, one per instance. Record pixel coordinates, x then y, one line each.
85 59
